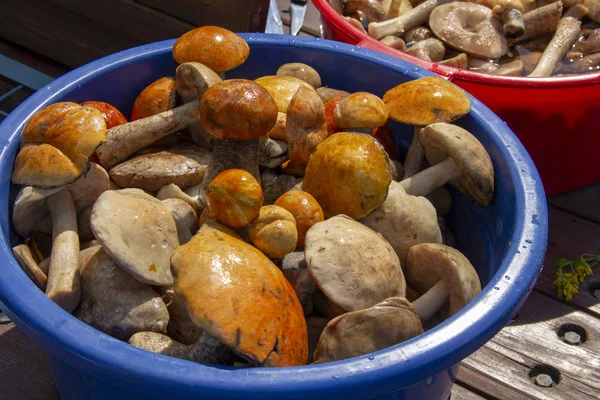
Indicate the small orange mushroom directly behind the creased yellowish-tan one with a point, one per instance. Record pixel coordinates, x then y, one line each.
305 209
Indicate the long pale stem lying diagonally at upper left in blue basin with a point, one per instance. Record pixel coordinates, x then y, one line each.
126 139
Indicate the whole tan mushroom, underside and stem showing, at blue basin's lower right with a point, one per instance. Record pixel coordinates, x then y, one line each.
442 274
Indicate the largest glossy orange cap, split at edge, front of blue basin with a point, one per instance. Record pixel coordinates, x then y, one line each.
236 294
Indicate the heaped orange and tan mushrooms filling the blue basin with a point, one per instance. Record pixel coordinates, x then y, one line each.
250 223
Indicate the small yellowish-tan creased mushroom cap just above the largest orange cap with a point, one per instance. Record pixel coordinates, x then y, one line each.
274 231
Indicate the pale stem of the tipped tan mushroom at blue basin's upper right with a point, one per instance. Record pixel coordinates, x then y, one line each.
431 178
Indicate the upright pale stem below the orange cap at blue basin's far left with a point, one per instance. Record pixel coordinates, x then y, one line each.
64 284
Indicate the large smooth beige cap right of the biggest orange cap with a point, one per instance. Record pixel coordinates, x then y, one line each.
353 265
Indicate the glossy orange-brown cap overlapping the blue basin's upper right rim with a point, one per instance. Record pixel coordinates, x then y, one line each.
426 100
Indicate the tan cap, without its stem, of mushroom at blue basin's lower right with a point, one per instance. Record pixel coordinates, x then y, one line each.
428 263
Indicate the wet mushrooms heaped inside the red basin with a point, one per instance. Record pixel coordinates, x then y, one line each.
503 37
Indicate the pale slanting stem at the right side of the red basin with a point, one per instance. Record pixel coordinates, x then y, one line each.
567 33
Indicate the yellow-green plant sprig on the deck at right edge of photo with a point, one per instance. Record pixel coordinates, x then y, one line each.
570 274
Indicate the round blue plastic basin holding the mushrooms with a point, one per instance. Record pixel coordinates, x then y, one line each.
505 241
